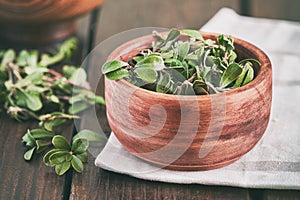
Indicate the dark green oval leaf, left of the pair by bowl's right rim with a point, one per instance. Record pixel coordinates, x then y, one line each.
230 75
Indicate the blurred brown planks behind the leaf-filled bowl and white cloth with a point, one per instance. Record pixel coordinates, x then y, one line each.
120 15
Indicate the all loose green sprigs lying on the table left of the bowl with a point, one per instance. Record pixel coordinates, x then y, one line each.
29 89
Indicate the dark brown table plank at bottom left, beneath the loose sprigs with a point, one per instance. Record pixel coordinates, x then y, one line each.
21 179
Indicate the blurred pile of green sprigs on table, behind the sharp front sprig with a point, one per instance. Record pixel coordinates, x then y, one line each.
29 88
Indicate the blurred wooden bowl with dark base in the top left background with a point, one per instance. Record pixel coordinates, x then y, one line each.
44 21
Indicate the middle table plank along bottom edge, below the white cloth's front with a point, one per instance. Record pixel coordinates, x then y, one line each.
96 183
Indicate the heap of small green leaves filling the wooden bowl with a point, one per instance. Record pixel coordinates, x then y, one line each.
187 66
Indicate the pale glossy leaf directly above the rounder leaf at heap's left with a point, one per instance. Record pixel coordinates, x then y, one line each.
154 61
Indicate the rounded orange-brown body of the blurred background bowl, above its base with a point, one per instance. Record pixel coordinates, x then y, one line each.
44 11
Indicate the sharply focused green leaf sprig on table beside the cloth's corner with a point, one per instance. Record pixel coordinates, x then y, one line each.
64 155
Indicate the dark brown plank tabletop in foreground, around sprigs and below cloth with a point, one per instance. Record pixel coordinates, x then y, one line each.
33 180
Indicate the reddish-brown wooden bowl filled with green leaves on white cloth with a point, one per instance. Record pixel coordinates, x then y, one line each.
190 132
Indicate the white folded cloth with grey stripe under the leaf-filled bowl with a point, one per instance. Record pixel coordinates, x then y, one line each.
275 161
